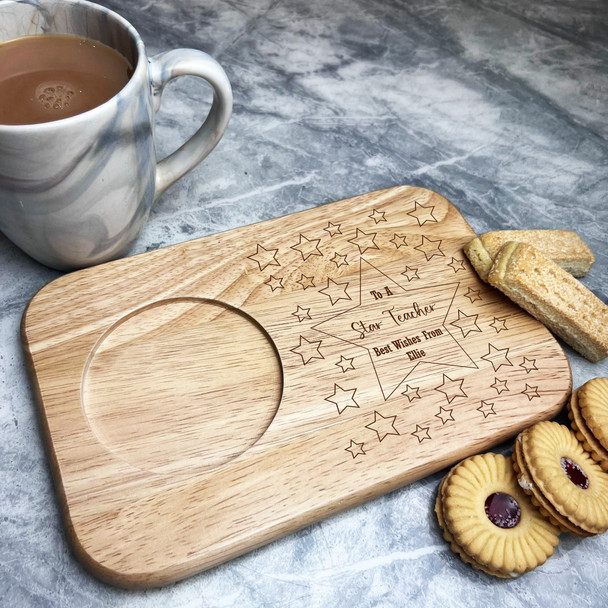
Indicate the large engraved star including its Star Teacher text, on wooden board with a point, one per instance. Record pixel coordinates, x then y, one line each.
399 328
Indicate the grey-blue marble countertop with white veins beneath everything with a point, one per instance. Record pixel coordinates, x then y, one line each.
499 105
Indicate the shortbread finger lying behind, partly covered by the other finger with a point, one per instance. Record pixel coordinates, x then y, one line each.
564 247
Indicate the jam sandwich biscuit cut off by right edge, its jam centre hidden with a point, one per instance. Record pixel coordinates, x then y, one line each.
588 413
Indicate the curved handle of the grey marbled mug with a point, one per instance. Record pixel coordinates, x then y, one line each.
190 62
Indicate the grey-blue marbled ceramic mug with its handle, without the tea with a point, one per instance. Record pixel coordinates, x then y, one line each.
77 191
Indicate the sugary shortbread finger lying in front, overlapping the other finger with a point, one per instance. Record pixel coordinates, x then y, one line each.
554 297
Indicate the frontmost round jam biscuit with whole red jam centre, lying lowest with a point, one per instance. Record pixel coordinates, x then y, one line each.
491 519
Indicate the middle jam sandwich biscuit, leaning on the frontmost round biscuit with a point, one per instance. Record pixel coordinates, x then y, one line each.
566 475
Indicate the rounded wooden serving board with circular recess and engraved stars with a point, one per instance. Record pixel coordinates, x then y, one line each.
201 400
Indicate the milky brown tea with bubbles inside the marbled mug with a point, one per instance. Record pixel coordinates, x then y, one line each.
49 77
